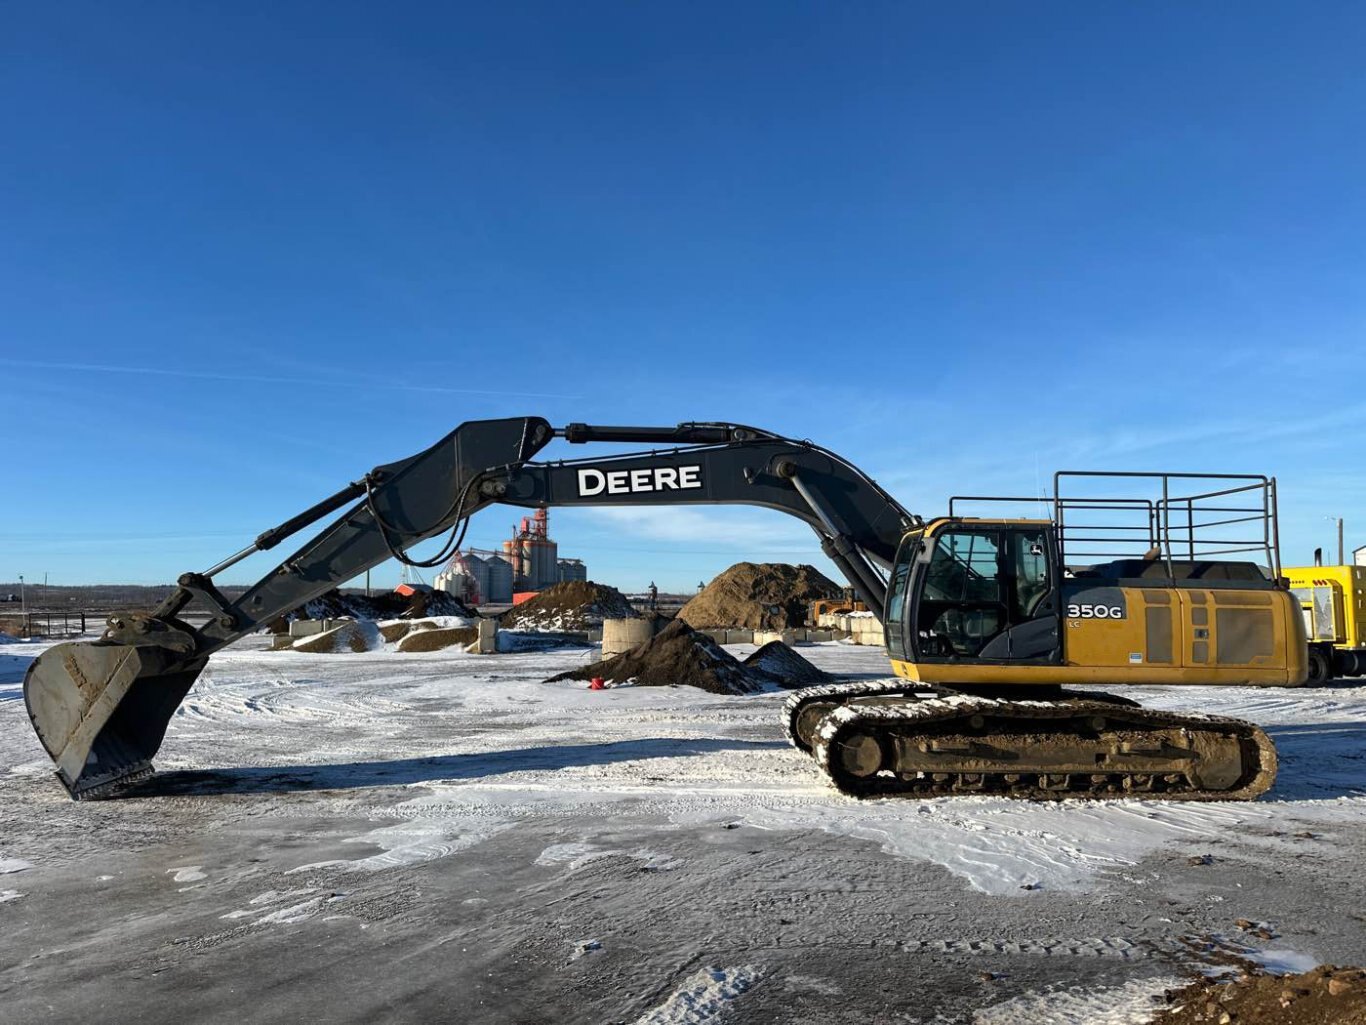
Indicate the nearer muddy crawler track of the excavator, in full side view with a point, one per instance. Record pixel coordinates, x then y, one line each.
938 747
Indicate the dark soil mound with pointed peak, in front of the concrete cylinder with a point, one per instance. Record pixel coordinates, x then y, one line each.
678 655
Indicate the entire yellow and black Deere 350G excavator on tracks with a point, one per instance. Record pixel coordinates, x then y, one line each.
990 621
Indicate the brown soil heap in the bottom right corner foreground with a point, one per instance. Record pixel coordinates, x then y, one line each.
1327 996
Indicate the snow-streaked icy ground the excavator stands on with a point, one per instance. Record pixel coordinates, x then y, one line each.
442 837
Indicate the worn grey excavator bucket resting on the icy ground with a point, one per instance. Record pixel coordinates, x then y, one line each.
102 710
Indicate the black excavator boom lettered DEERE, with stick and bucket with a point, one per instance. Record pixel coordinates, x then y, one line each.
102 709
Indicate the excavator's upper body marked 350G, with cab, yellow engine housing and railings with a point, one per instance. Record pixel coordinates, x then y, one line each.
977 602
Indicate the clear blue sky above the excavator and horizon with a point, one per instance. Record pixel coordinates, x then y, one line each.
248 254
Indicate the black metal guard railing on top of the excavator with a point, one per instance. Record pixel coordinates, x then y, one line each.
1109 516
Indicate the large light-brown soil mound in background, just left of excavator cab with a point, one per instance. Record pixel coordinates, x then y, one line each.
759 597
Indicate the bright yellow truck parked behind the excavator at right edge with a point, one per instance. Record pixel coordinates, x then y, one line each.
1334 602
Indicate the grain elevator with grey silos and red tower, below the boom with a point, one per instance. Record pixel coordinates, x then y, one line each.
529 561
